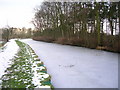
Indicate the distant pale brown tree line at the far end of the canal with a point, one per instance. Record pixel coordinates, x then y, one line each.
12 32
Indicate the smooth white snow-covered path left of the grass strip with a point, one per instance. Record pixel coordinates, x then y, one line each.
7 54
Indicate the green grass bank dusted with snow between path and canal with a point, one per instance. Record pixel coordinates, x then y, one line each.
26 70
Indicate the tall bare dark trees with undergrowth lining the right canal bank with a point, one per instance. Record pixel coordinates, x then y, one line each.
88 24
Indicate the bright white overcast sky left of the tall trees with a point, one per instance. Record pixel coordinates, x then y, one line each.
17 13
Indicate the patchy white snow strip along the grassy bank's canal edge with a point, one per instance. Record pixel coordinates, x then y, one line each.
37 75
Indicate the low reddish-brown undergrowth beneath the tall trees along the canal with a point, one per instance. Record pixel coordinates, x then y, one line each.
90 42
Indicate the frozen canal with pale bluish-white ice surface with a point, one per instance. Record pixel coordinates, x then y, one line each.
77 67
